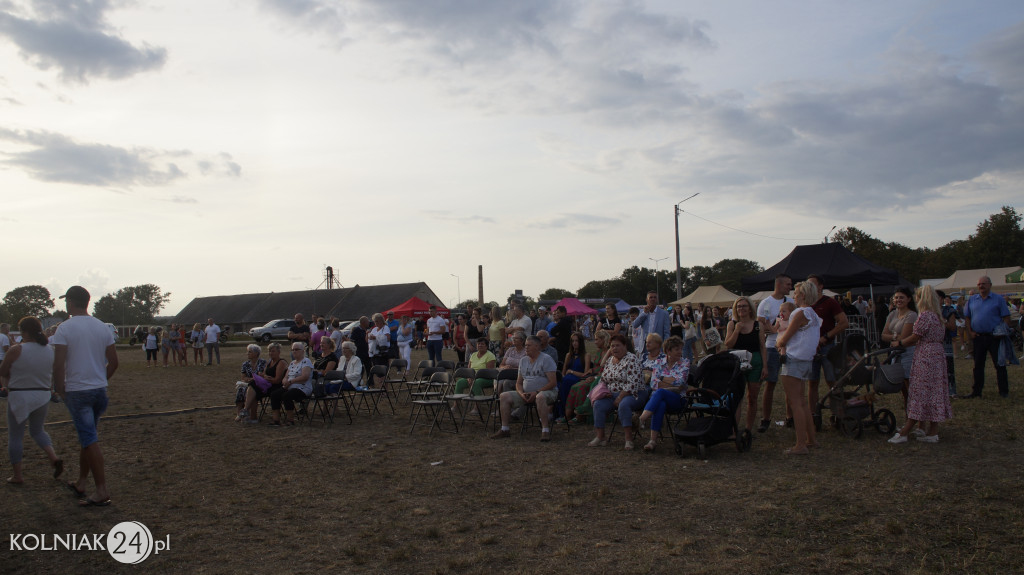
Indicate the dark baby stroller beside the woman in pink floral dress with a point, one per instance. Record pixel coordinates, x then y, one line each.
863 377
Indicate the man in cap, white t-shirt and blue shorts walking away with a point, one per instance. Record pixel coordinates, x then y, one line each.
84 360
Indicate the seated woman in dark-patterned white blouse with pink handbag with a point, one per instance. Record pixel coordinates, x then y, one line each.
624 390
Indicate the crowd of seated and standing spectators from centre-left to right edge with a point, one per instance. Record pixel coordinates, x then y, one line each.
639 372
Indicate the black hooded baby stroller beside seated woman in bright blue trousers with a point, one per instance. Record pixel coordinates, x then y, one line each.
710 413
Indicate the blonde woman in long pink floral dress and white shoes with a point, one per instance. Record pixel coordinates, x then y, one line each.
929 397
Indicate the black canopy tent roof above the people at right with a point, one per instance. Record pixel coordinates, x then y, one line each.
839 268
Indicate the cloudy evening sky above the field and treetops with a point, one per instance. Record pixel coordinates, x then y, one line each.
218 147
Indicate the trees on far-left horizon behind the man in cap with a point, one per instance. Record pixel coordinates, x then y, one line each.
135 304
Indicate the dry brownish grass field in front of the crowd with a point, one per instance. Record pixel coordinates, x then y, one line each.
372 499
